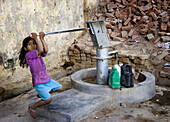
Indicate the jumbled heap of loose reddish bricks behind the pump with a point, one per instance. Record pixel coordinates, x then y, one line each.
147 17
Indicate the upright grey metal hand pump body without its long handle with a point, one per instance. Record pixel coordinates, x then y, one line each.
100 39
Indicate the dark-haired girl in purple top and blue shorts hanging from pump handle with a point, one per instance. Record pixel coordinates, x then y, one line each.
31 55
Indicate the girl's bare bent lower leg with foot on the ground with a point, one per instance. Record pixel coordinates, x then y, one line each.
36 105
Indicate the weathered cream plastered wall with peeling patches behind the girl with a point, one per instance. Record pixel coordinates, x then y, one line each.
18 18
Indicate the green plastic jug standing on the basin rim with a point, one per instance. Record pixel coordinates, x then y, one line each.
114 78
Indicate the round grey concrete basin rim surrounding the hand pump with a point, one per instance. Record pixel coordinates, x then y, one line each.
142 91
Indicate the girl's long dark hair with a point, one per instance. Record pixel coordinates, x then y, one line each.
22 60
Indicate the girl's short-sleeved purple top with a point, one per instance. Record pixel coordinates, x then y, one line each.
37 67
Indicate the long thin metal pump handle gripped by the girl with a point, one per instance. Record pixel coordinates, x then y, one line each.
64 31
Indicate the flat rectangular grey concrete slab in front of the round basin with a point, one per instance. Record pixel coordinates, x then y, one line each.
72 105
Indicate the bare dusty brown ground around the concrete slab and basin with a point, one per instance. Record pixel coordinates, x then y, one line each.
155 110
